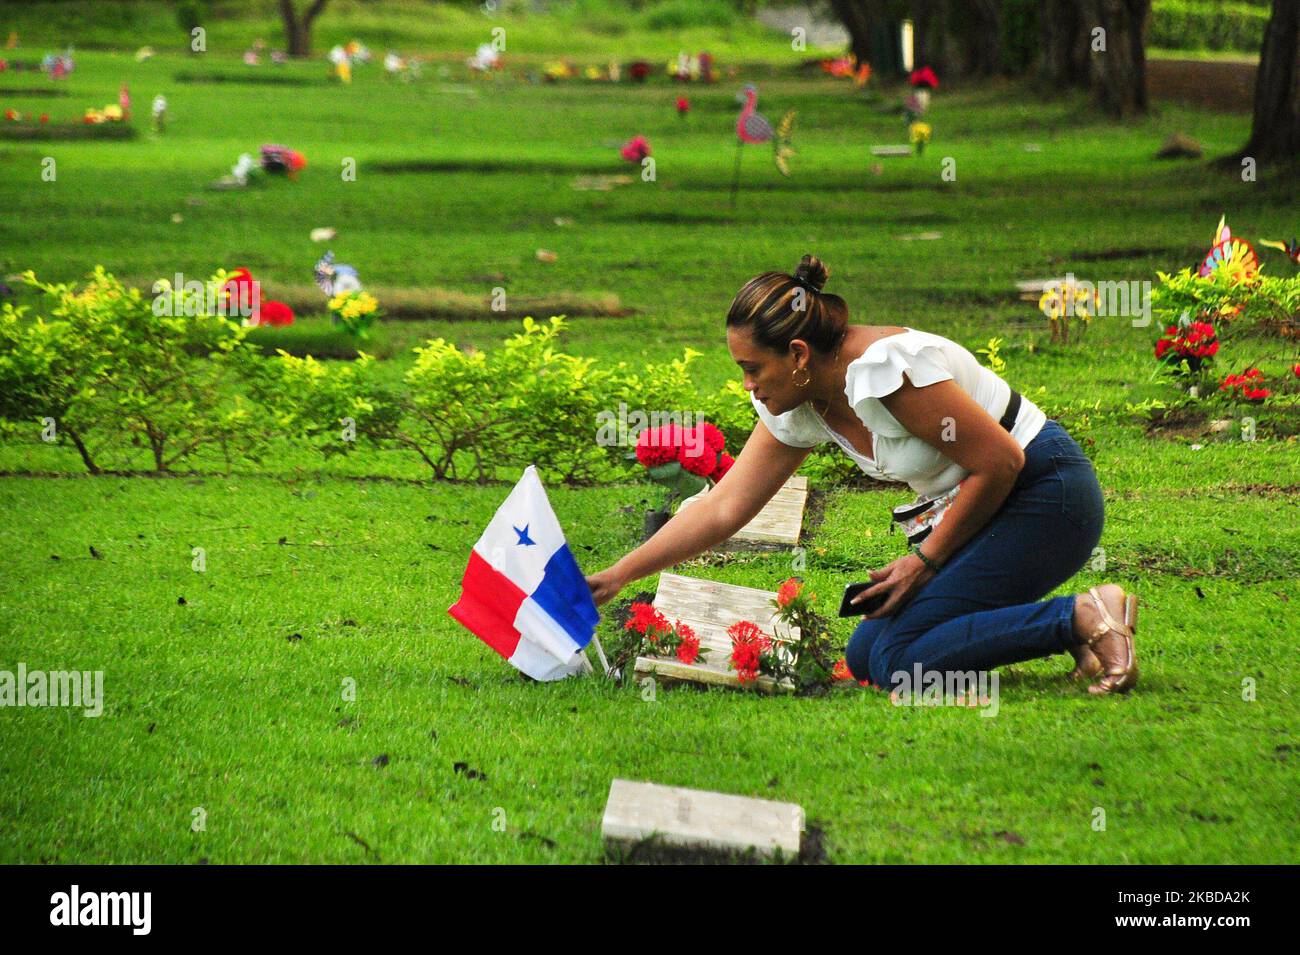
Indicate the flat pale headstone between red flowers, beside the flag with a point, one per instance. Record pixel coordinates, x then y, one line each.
710 609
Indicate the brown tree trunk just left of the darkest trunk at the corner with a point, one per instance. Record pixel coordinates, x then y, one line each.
1119 73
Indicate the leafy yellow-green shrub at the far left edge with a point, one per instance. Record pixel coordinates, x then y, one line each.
115 371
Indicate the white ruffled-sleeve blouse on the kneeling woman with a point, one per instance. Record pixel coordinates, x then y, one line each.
896 454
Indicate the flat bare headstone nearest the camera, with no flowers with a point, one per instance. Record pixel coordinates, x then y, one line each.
694 819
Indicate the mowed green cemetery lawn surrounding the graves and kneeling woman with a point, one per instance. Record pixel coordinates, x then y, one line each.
216 705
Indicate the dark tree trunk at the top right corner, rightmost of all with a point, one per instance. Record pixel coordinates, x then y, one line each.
1276 129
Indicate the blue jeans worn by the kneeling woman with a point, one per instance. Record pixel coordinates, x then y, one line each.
981 610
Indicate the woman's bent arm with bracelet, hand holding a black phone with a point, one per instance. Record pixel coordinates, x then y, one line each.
954 423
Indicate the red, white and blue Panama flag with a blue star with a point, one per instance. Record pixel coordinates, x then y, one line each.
523 593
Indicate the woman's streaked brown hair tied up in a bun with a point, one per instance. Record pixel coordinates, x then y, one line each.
768 307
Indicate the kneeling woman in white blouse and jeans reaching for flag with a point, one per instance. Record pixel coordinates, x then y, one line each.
917 409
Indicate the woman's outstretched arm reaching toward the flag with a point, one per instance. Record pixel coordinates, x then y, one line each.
764 466
